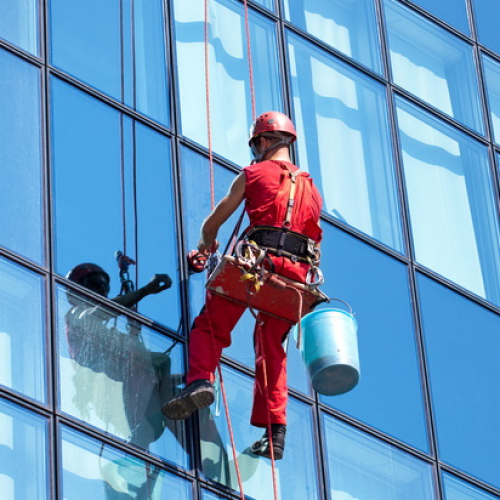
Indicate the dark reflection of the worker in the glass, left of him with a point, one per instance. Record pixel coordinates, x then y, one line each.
120 355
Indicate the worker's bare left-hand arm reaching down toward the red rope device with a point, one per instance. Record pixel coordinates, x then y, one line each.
224 209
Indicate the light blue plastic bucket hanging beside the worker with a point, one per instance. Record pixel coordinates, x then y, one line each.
329 347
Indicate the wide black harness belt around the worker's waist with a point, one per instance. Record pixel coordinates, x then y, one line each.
283 242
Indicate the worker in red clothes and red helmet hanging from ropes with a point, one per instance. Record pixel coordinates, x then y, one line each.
290 231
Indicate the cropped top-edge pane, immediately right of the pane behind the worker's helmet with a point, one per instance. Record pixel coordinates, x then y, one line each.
349 27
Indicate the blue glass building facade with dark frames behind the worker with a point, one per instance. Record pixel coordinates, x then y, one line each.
104 151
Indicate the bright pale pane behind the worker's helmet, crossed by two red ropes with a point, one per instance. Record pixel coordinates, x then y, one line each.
230 101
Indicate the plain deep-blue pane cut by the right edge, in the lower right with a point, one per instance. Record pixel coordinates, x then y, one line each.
462 345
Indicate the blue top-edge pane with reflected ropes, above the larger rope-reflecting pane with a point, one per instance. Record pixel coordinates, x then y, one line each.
118 47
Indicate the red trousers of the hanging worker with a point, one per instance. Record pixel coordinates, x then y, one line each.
211 333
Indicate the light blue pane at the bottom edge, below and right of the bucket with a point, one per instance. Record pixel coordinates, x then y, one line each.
364 468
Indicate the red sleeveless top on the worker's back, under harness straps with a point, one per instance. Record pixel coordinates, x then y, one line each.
267 191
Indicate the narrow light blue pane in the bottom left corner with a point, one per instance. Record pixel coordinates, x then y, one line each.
23 454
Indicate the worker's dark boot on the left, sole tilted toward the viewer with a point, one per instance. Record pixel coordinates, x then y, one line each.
197 395
